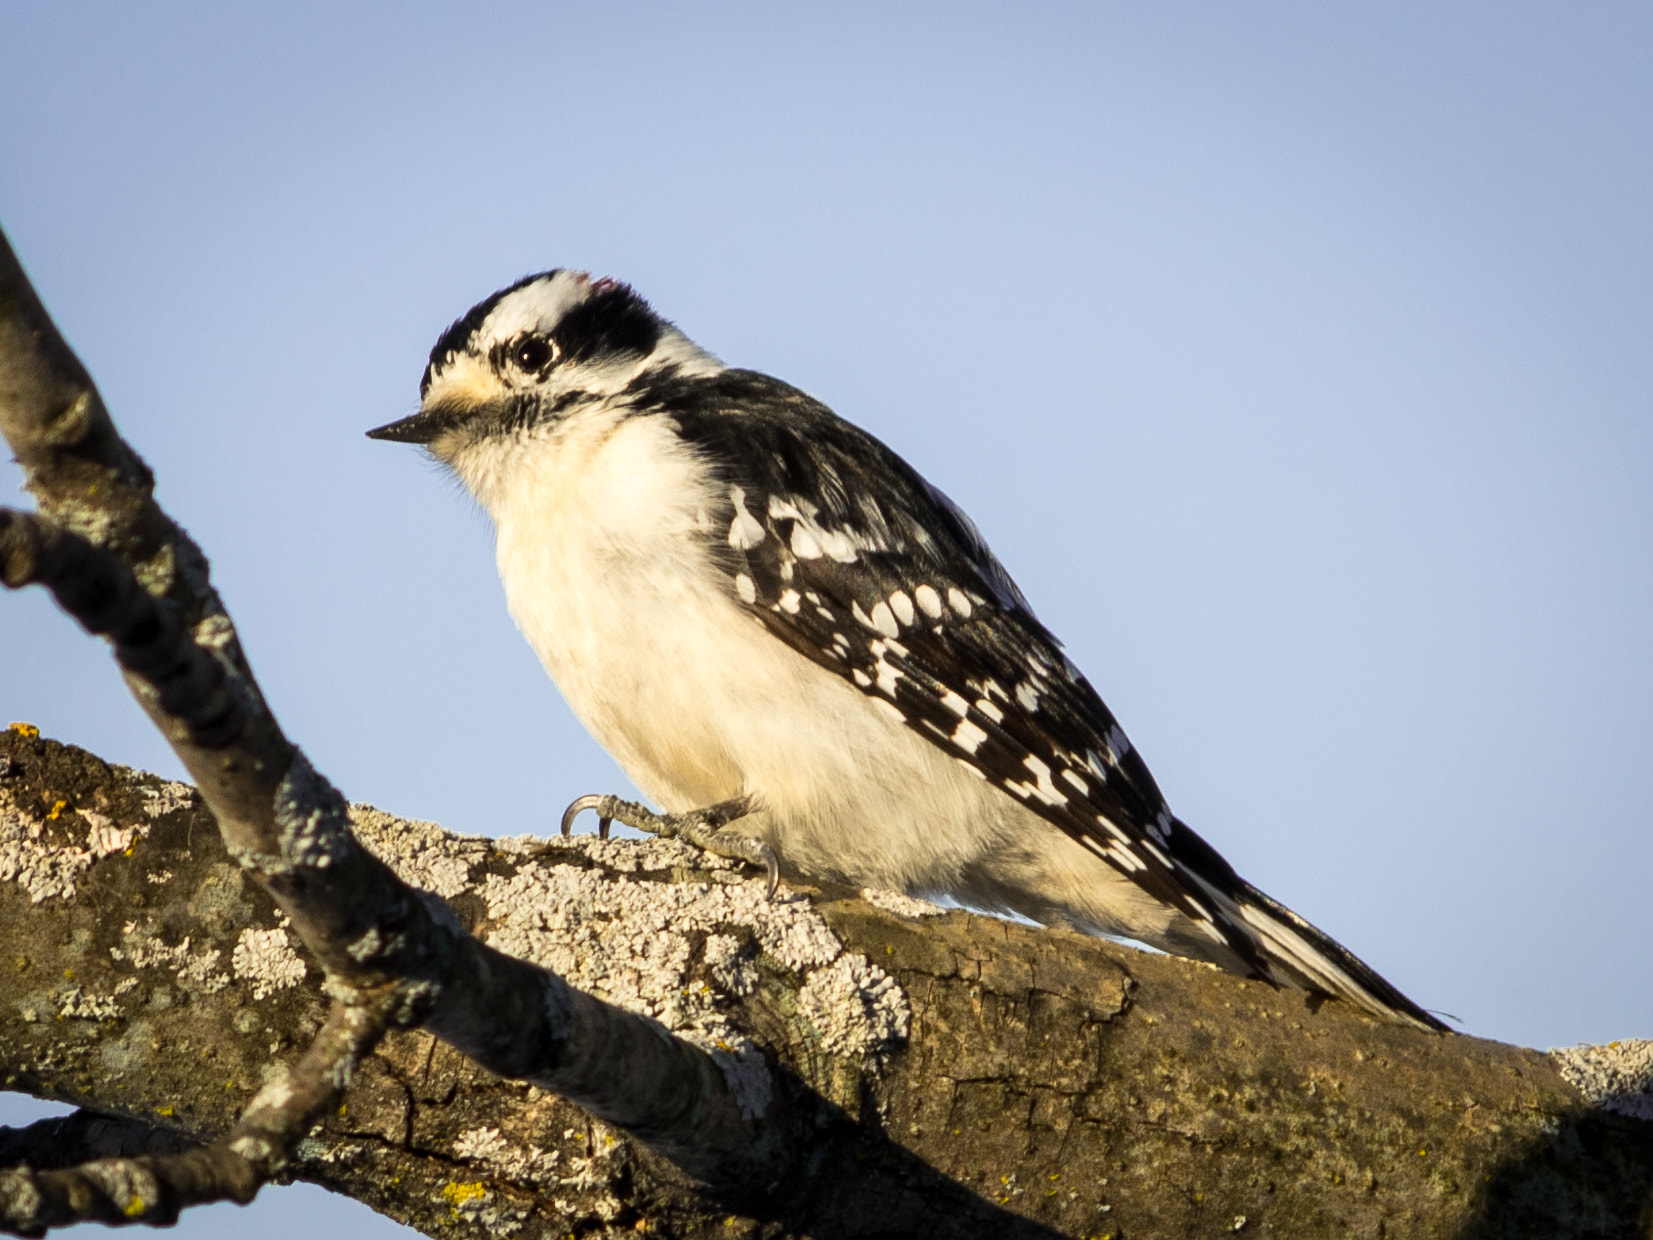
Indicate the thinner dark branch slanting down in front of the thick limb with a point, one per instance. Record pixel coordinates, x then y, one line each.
123 570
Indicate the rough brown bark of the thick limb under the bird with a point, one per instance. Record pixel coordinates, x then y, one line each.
1049 1085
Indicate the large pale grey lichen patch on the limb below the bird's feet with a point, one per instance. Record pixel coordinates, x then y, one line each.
682 953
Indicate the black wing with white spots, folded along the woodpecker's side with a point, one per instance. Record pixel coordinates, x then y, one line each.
847 555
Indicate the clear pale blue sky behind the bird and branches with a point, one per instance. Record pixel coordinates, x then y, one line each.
1295 358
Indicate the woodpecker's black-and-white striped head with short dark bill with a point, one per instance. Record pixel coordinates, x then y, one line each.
533 356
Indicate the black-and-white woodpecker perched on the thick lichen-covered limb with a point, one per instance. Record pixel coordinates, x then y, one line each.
804 652
